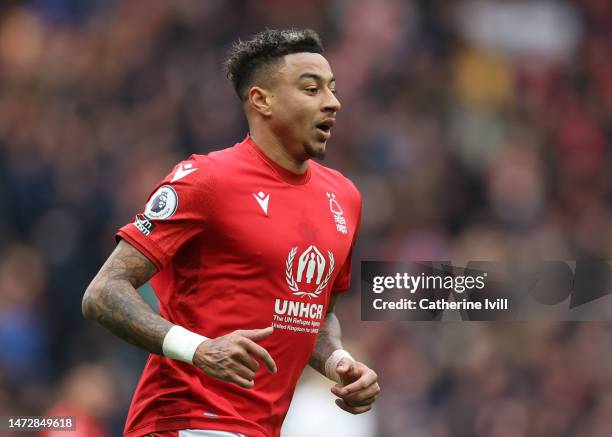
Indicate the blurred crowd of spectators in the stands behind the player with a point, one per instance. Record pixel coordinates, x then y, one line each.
474 129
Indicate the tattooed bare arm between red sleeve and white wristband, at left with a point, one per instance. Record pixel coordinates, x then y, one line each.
112 300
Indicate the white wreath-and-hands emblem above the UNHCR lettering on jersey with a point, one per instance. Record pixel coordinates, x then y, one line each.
308 273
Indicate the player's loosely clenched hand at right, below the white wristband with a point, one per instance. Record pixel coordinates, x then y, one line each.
359 387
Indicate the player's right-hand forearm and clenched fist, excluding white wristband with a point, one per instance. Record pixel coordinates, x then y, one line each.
359 387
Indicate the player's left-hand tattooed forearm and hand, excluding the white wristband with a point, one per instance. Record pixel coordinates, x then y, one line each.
112 300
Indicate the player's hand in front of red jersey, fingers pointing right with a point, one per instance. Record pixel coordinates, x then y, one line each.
231 358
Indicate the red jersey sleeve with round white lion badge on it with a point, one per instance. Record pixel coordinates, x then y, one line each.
176 211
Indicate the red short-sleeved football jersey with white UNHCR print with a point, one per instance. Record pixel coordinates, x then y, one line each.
240 243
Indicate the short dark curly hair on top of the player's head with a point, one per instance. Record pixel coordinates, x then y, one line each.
246 59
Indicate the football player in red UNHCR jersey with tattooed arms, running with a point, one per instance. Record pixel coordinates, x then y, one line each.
247 249
